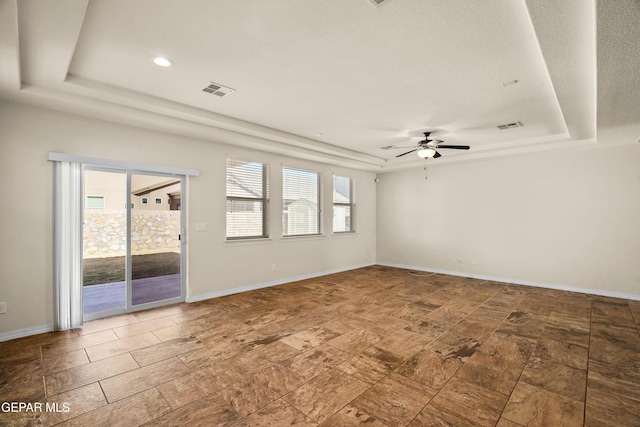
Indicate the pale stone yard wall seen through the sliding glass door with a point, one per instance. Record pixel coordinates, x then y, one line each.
104 232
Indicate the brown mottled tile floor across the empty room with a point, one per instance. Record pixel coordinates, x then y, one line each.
373 346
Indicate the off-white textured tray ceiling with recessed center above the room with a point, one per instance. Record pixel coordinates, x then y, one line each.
332 80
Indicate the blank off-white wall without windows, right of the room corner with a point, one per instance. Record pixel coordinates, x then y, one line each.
563 218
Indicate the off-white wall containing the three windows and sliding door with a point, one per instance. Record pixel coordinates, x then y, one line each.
215 266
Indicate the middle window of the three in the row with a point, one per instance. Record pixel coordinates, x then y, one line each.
301 202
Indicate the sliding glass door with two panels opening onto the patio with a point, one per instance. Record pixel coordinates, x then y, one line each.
132 246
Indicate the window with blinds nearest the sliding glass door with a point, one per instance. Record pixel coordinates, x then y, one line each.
247 200
